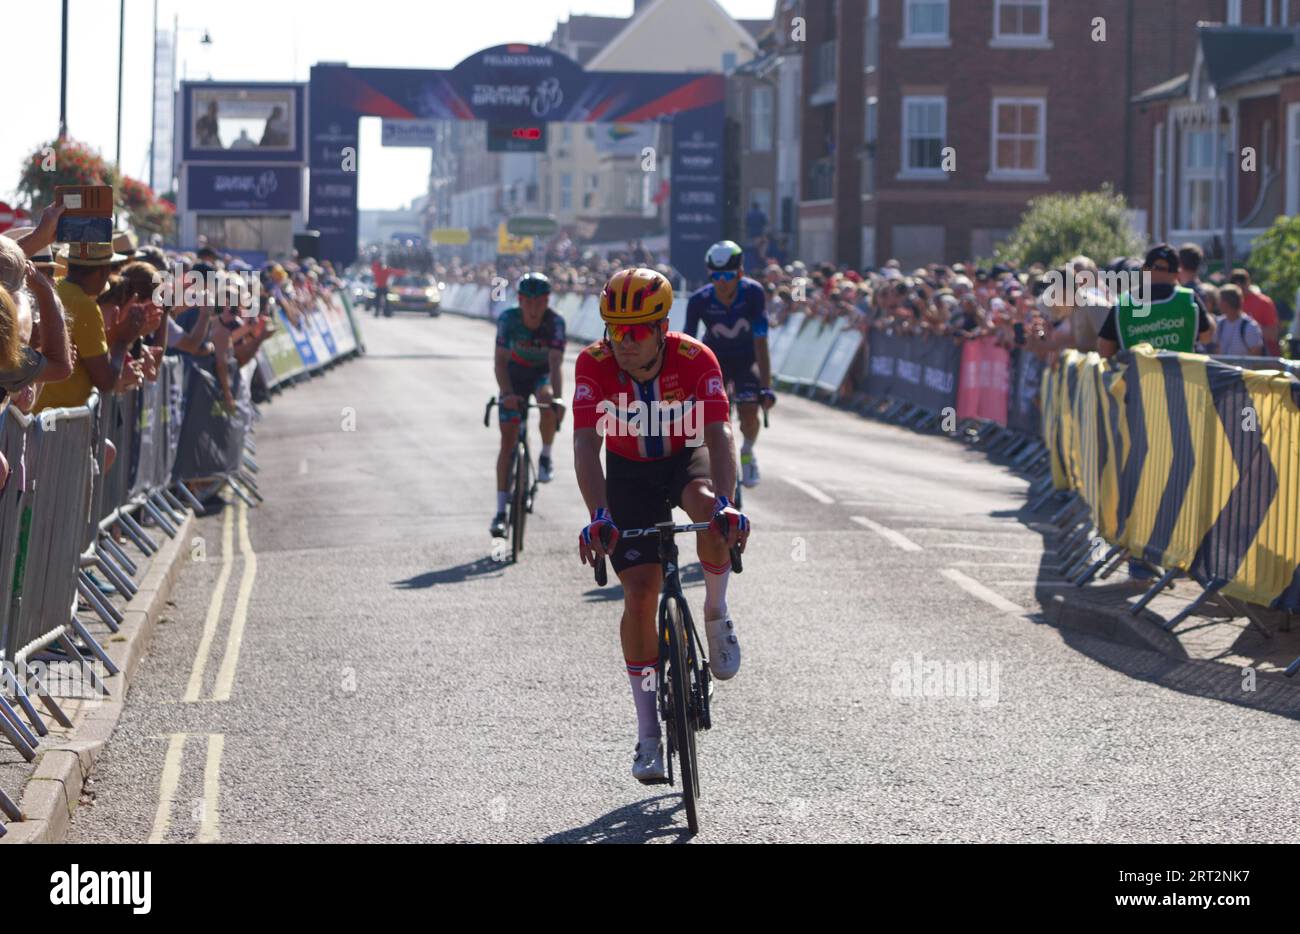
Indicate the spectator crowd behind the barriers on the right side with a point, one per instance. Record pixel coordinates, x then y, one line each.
1038 309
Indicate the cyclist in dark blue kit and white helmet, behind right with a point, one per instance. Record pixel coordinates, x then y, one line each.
734 310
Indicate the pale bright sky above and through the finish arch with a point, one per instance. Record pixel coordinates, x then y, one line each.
254 41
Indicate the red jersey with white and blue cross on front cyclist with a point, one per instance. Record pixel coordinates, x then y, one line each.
656 420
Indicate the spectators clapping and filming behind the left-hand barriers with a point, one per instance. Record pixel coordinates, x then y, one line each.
89 318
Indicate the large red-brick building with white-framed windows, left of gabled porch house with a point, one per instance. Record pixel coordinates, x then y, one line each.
928 126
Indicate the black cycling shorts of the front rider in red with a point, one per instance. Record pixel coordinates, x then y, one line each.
640 494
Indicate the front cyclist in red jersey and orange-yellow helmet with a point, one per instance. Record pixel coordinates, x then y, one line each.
658 401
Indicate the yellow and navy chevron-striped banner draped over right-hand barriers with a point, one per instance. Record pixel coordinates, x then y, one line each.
1188 462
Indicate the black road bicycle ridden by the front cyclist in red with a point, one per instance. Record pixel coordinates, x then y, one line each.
684 684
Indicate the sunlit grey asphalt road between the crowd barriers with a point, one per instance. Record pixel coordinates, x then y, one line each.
395 684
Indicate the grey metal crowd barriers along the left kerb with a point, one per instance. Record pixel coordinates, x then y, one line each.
59 512
